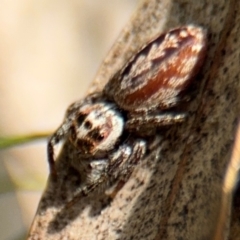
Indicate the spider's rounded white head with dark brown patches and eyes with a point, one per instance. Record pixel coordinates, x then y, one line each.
101 127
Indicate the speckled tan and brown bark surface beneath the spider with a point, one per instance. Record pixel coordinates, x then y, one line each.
176 192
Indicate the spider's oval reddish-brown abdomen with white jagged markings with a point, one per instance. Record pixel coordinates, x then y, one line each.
160 71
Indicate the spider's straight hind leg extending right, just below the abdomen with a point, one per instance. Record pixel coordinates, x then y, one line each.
149 122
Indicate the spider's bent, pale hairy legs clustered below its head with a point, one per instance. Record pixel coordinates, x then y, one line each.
119 165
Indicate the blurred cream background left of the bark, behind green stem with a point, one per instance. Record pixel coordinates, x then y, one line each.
49 54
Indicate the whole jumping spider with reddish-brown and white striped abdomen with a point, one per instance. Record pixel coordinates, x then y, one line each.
108 128
